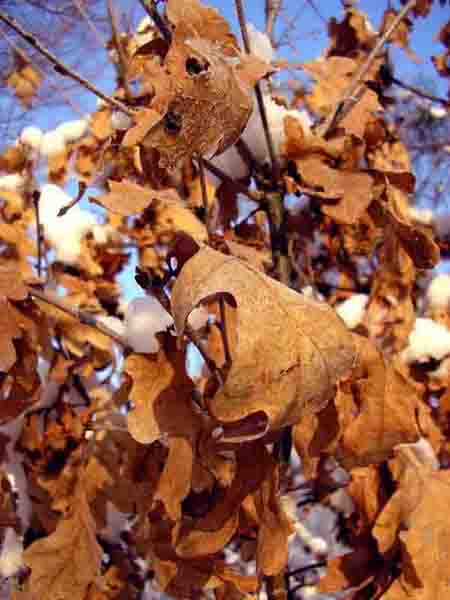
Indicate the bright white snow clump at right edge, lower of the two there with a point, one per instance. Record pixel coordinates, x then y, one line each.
427 340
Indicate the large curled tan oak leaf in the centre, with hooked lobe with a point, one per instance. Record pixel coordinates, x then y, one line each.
290 350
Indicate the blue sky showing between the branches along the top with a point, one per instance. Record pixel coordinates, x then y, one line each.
310 40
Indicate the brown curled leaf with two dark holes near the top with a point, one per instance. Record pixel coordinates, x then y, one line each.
215 91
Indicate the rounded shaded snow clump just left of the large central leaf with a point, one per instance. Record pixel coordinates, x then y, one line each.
144 318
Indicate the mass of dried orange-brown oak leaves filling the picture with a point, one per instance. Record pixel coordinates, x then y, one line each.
199 465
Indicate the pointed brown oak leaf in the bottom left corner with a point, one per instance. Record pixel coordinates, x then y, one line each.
65 563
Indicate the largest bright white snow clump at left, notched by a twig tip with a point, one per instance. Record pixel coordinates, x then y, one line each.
63 233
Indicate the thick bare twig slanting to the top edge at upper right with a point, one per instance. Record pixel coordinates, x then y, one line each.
347 100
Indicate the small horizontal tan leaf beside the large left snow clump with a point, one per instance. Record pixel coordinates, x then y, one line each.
127 198
